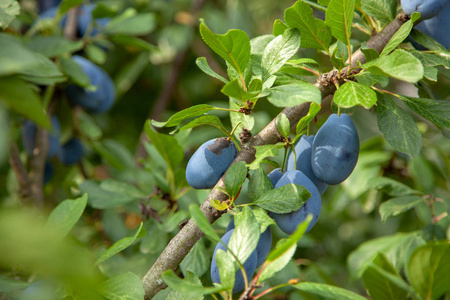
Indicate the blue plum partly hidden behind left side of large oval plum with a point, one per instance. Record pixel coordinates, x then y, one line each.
303 152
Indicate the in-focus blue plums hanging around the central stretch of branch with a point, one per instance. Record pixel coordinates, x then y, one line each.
321 160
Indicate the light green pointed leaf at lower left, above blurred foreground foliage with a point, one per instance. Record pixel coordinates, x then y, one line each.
64 216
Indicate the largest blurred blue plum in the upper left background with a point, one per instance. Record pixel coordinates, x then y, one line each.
97 101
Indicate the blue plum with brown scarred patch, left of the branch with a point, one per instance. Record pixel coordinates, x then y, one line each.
209 163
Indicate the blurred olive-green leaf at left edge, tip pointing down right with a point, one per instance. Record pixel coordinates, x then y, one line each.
21 97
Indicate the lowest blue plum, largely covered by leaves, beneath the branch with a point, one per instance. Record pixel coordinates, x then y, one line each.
249 266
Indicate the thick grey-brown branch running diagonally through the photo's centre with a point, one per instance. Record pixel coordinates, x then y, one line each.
183 242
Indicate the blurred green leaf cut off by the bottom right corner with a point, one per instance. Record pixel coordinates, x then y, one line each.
428 269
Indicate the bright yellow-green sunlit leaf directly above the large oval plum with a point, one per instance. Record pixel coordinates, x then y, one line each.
352 93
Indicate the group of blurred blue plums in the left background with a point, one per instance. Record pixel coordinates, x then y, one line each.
97 98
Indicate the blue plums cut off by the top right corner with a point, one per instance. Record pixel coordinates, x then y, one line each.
435 15
